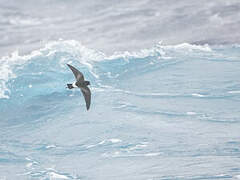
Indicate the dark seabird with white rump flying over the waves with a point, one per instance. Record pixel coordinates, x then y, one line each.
82 84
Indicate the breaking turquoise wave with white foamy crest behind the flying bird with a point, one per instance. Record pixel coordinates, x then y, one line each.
45 70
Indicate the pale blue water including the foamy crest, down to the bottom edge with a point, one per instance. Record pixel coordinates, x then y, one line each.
167 112
